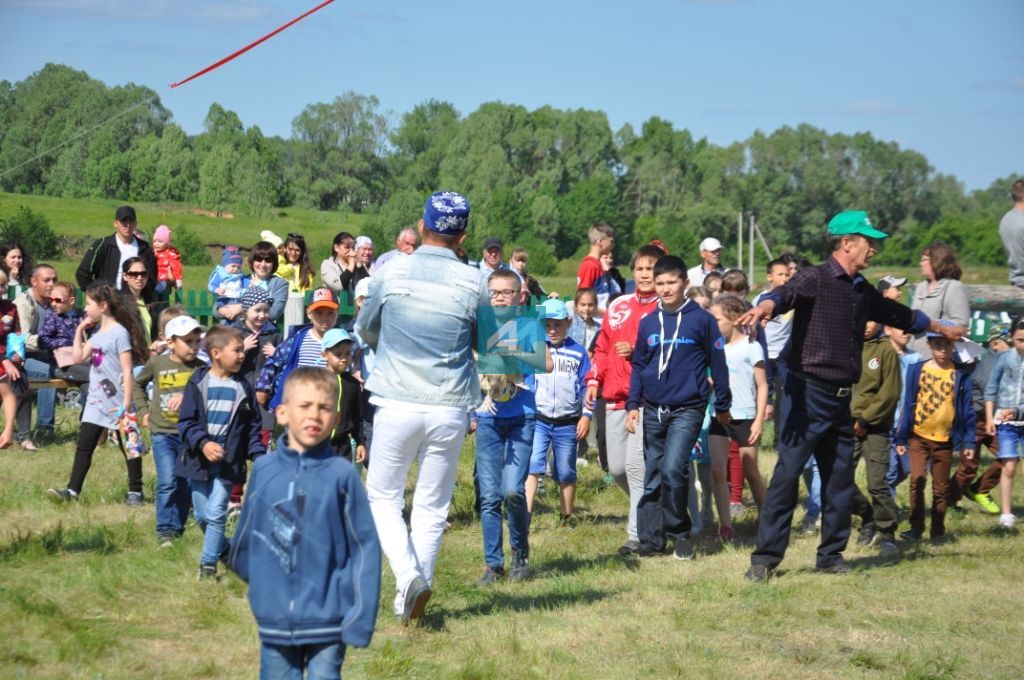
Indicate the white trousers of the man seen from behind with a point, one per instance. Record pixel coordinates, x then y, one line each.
401 437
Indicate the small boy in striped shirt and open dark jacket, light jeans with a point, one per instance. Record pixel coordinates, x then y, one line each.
220 426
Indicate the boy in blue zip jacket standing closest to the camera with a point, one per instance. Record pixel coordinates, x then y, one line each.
307 543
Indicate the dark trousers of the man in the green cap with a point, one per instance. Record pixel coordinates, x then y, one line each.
815 422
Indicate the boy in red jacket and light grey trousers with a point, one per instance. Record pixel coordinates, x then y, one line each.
611 373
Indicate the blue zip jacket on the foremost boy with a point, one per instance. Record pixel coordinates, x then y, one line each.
308 548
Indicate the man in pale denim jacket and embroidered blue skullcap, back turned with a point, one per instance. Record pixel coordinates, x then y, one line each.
420 318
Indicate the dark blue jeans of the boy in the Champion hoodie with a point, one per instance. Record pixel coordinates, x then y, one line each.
669 436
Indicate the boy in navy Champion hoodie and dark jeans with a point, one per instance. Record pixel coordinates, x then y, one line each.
676 346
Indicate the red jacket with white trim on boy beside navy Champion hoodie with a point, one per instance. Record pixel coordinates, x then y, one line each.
611 371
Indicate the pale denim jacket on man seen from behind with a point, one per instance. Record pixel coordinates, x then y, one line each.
420 317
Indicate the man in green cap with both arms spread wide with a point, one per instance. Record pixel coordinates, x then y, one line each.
832 305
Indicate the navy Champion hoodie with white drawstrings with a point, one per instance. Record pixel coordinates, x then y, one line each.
689 354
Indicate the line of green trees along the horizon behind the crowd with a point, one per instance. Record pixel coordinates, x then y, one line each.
537 179
